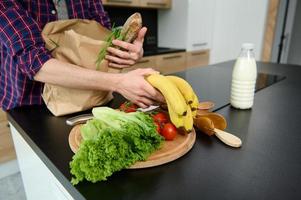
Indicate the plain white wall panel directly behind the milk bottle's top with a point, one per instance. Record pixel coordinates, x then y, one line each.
237 21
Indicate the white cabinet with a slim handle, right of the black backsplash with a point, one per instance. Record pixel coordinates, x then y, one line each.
188 24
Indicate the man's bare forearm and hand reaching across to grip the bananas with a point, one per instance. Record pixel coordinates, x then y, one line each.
131 85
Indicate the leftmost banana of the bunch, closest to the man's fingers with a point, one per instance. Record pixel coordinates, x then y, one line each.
170 92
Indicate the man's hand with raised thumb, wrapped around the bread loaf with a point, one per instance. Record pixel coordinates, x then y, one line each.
129 54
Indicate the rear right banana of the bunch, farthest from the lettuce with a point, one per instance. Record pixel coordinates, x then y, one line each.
184 88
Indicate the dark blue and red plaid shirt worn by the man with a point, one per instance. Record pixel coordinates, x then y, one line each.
22 50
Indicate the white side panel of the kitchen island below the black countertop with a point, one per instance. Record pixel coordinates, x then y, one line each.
38 180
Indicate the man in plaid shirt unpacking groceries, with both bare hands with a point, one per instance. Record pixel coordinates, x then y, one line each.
25 63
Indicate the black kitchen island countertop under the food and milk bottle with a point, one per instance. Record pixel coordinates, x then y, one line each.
267 166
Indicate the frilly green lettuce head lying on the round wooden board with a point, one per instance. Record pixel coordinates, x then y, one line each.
113 140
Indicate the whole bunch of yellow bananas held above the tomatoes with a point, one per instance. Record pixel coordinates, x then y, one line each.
181 100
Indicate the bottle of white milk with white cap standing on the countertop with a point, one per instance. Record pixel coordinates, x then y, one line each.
244 78
